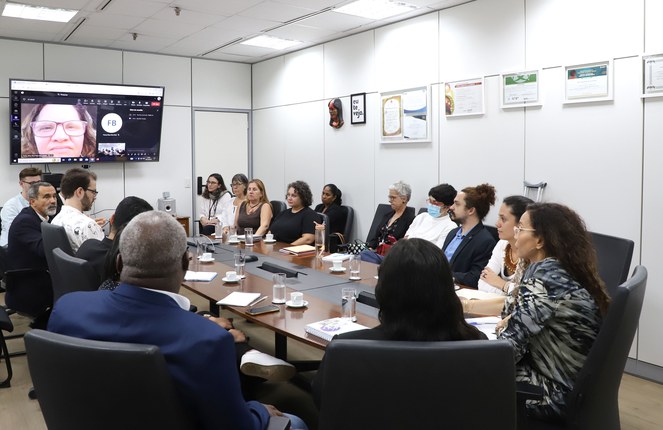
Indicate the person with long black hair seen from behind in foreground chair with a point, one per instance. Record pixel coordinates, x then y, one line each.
415 293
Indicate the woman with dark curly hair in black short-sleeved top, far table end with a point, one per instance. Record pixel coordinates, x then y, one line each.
297 224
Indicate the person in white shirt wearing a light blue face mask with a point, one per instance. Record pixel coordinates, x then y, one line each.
435 224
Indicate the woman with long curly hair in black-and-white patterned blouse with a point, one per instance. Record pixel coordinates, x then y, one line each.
559 307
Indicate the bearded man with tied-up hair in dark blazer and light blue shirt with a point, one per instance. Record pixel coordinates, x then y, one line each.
469 247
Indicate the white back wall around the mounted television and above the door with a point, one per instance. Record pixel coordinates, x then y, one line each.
190 83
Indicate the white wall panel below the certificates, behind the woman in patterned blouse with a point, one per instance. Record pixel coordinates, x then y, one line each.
591 152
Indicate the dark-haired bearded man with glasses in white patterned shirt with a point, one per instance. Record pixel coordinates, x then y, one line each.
79 189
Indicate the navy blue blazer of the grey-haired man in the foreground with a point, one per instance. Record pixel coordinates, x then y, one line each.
199 353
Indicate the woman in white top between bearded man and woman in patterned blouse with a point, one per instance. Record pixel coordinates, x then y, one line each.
504 269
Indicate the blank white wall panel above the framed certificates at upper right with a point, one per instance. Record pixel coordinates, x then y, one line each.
566 31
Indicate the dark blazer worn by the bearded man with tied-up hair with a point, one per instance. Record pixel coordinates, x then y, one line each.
471 256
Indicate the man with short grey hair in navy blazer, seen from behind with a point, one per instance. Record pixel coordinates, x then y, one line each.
145 308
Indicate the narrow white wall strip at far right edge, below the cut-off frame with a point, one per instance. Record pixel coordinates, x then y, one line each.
650 348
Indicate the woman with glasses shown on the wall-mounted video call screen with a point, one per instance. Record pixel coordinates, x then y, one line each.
58 130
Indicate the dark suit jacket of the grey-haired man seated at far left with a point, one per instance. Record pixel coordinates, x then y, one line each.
25 249
